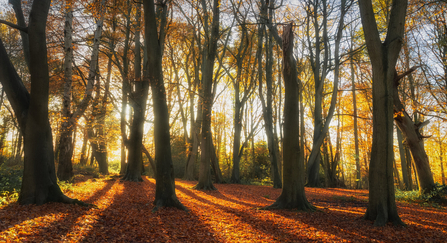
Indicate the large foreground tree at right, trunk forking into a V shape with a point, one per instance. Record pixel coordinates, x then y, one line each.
383 55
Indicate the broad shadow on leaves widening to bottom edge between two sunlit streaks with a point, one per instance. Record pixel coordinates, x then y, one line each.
129 218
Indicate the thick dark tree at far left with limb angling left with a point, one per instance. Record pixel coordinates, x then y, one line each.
39 184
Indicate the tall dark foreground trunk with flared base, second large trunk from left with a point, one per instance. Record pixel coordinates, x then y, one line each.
155 23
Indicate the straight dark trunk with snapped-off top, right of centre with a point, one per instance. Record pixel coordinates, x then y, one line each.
292 195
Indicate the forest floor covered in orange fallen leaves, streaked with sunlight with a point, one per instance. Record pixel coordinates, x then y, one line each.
230 214
